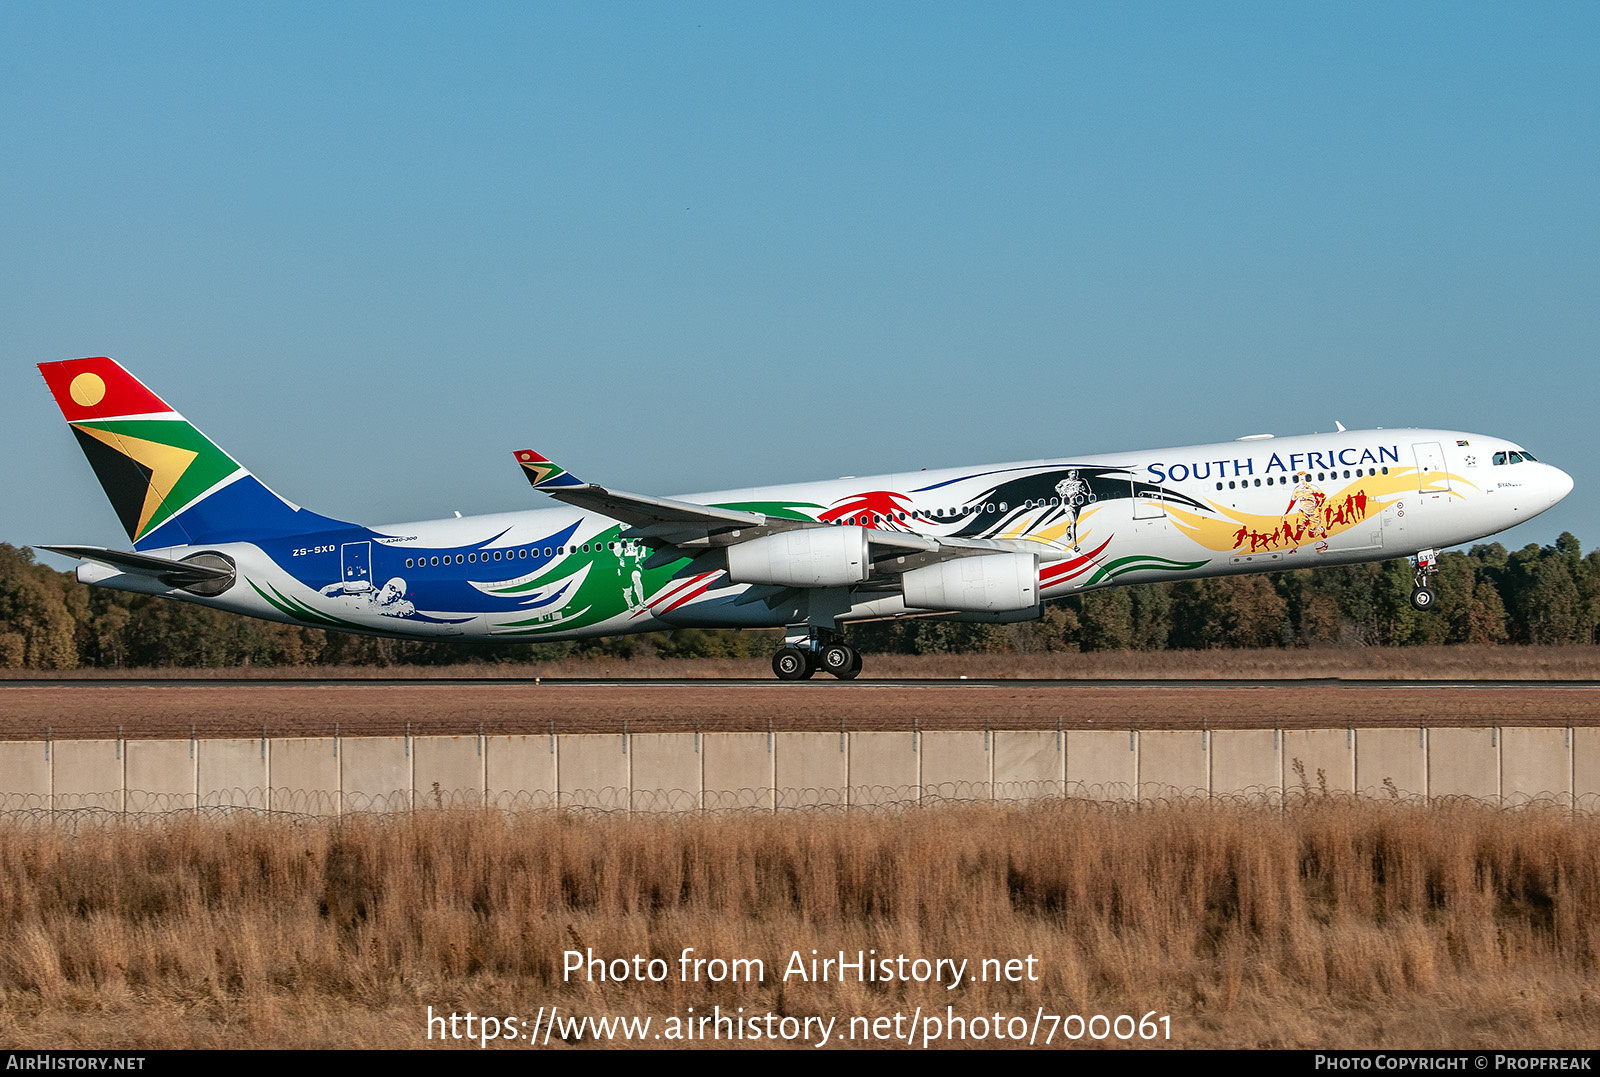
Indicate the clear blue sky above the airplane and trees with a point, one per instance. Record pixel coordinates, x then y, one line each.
374 249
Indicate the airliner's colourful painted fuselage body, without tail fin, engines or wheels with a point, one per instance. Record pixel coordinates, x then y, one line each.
559 574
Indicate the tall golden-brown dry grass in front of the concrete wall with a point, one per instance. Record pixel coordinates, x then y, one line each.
1337 924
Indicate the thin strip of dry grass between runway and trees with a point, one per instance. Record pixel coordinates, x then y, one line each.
1393 663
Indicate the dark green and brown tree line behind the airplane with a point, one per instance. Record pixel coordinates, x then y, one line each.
1540 595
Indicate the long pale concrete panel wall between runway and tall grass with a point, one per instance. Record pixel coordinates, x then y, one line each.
767 772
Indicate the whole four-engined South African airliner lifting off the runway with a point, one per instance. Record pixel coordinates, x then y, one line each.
964 543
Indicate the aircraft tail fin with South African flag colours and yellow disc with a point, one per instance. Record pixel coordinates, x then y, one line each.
169 484
